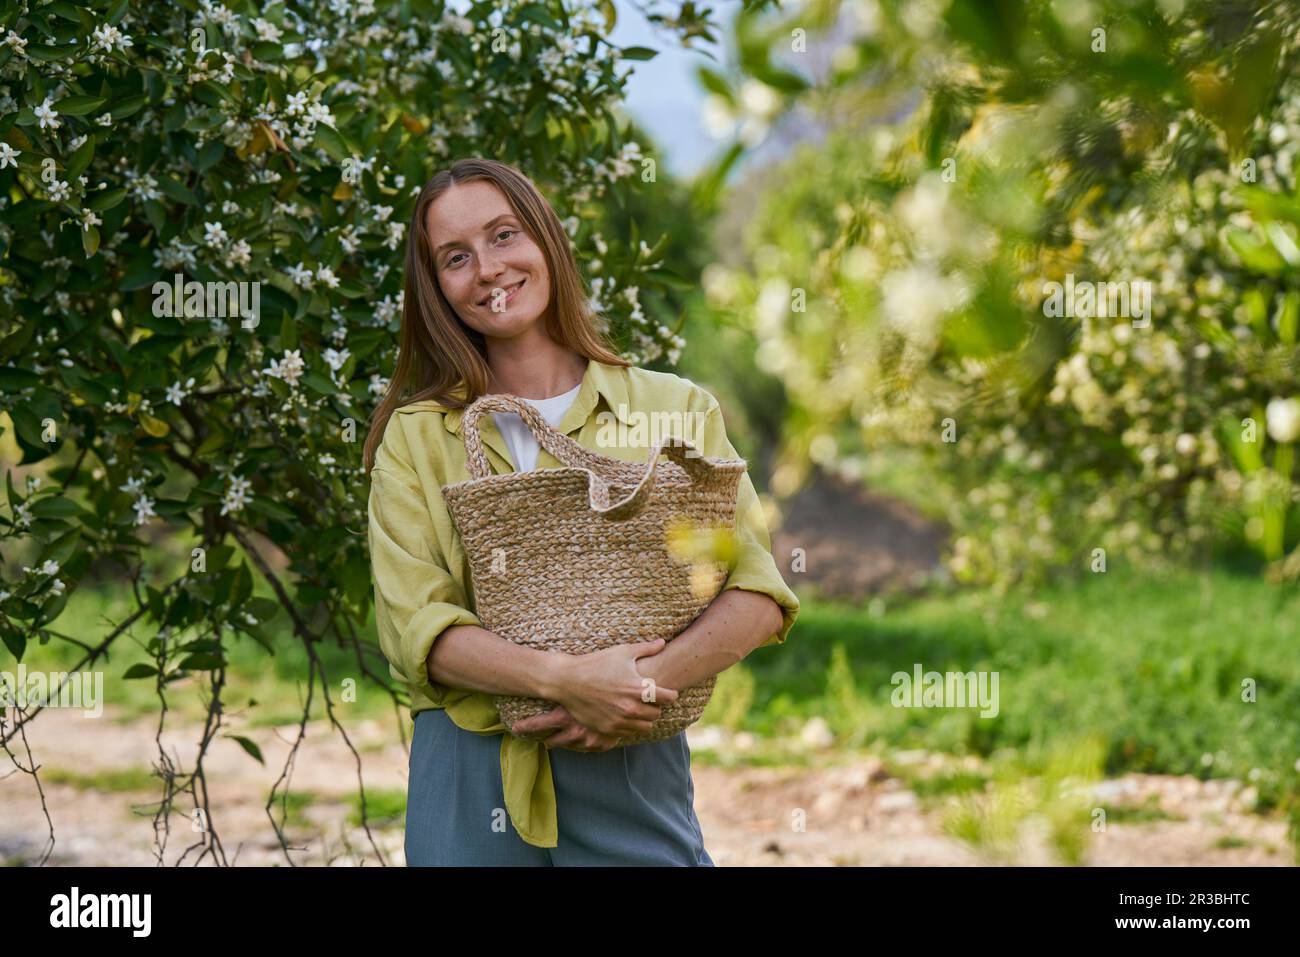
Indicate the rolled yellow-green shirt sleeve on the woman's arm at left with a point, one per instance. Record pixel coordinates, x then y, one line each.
417 599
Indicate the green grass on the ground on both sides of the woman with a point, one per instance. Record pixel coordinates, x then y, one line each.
1152 666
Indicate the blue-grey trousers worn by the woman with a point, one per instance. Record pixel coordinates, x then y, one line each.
631 806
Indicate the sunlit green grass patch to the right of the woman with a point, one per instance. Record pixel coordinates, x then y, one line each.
1152 666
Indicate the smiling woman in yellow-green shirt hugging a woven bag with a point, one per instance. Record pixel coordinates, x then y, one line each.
495 304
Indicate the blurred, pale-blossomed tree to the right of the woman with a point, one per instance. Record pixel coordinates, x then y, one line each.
909 279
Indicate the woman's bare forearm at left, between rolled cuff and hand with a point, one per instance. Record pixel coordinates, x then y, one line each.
470 657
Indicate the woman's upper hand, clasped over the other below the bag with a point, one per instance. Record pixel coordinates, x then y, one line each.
604 691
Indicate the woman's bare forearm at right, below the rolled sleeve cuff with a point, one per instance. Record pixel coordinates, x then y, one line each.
734 625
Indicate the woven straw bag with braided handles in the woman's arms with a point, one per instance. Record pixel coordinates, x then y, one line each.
575 560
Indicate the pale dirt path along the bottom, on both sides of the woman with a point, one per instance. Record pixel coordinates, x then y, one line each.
101 799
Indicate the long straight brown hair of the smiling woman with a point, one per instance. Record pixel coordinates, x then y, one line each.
440 357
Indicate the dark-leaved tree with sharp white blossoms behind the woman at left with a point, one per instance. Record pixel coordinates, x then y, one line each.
202 206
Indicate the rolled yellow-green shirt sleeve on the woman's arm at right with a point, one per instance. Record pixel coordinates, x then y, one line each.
755 569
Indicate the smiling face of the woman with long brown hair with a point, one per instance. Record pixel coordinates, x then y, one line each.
482 256
